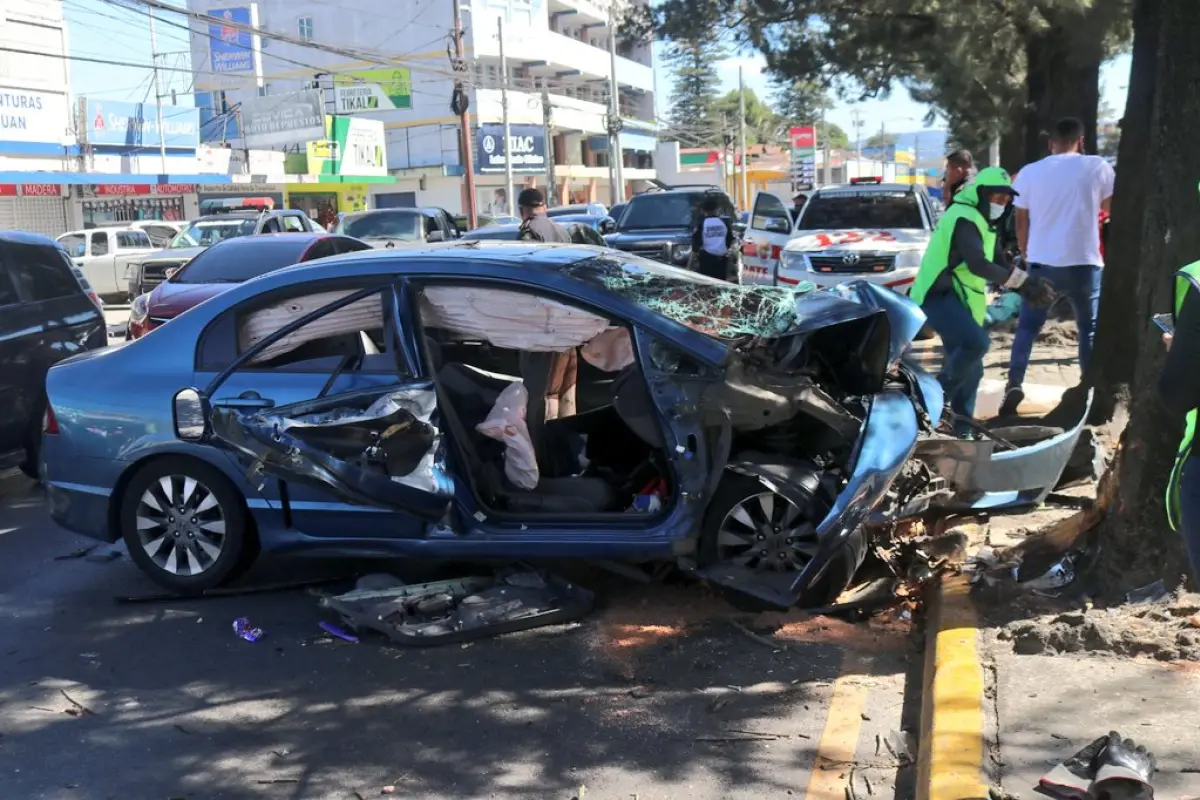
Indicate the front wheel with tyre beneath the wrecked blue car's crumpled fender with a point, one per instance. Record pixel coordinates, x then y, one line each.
753 527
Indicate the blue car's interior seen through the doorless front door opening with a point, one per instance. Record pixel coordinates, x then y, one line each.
596 437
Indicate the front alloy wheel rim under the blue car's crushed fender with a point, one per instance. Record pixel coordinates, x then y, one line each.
767 532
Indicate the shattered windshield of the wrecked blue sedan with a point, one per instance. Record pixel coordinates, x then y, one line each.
706 305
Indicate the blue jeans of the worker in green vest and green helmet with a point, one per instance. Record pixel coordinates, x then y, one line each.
965 342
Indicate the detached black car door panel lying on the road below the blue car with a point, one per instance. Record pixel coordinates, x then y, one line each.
452 612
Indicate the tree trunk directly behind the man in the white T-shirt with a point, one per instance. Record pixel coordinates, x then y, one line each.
1063 79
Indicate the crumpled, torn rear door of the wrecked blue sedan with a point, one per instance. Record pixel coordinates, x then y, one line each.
322 494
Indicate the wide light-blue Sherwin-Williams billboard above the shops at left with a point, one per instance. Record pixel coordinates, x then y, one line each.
136 125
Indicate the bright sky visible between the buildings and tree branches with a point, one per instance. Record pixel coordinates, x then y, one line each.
99 31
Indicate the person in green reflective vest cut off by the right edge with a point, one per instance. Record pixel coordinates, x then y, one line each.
1180 390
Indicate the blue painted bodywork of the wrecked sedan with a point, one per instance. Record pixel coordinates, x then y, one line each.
118 431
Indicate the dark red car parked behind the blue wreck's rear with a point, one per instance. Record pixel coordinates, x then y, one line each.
229 263
